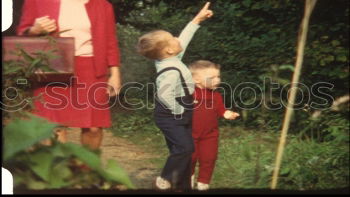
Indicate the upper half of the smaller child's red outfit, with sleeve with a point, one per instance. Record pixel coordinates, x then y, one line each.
207 110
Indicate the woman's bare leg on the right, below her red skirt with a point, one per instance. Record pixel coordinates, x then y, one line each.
92 137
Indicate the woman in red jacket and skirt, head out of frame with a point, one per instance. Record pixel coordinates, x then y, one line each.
84 103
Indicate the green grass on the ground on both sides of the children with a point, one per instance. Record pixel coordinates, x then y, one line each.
246 157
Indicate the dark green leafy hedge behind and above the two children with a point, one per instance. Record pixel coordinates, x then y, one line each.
253 40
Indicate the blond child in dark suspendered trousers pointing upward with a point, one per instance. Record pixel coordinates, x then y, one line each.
174 101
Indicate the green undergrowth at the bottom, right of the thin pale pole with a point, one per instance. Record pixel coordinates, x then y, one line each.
311 165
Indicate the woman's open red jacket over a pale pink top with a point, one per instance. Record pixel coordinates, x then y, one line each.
103 28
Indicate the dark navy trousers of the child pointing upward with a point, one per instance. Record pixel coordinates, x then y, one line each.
178 135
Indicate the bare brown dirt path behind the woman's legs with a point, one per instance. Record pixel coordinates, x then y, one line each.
131 157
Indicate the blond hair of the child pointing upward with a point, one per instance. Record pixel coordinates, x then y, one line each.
151 44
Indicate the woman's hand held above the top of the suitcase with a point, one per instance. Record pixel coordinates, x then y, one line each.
42 25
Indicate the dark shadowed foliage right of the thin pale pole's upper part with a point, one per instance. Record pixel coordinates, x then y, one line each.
328 51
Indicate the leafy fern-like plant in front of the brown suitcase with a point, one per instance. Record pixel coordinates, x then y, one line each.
19 76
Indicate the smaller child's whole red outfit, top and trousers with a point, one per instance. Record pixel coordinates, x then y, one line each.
205 131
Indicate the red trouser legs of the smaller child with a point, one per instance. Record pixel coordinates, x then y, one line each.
206 151
